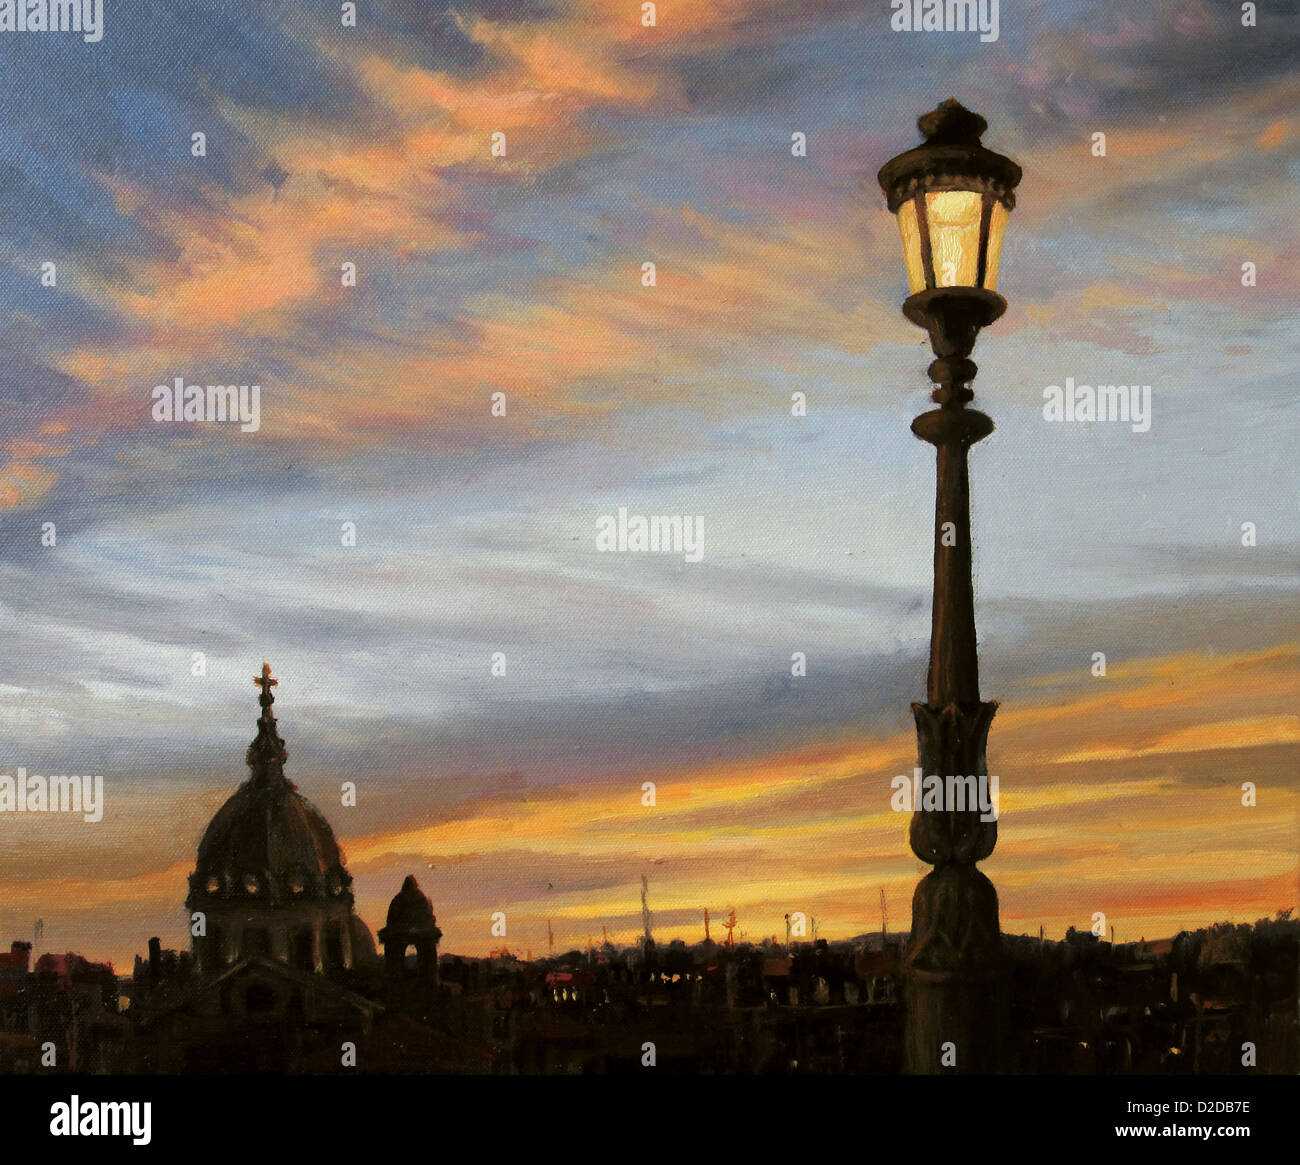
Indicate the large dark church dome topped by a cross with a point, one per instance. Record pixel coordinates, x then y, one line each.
268 843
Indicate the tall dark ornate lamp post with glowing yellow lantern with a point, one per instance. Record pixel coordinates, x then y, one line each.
952 200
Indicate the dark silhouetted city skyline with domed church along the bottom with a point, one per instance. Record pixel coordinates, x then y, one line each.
284 977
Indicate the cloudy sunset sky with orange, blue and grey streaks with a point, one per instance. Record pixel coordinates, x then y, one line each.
476 535
